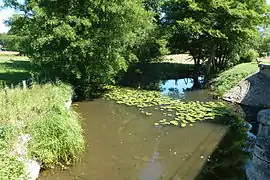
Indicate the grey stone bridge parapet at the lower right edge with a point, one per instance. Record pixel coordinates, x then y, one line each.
260 166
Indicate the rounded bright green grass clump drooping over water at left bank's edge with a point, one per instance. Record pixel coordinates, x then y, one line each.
56 138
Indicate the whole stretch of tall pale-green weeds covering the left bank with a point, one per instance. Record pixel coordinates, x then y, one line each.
55 134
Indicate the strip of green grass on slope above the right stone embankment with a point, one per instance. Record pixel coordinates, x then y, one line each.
228 79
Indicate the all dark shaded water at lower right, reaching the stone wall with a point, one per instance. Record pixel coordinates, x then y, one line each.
233 154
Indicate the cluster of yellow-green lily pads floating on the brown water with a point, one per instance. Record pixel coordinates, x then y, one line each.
175 112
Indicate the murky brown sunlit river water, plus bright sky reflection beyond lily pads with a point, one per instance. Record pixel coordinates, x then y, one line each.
123 144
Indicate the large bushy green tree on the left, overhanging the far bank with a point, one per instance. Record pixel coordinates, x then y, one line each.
85 42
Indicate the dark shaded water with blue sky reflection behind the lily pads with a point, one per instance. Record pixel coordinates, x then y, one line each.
173 79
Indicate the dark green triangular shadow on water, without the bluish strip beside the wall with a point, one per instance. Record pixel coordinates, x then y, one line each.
228 160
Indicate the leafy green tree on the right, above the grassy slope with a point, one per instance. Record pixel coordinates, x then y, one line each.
213 31
